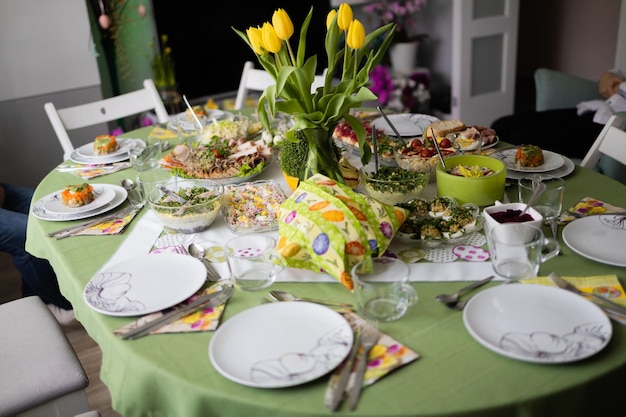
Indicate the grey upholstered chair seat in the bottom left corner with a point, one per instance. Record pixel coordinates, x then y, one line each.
40 375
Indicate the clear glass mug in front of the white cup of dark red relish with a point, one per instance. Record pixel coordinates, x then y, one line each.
518 250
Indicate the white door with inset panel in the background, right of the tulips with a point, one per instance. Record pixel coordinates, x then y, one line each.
484 52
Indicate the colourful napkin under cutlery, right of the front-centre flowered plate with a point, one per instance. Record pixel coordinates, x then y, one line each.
388 354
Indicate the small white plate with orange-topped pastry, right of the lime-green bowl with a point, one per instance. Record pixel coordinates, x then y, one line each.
530 158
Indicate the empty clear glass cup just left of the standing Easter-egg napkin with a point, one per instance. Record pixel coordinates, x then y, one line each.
253 261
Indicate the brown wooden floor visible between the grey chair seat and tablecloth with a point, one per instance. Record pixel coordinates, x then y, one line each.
87 350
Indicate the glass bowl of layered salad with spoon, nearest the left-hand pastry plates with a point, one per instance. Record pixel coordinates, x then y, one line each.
204 201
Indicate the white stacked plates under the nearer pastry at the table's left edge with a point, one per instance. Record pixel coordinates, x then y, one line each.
106 197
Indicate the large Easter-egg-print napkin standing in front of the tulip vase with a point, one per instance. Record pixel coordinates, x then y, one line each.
327 226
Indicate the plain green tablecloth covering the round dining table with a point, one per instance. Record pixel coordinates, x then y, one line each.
171 375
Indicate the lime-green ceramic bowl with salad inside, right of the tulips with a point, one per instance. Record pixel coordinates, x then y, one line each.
483 191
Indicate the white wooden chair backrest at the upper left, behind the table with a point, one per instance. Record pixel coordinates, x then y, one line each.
102 111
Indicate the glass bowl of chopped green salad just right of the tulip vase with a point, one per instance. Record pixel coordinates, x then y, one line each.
393 185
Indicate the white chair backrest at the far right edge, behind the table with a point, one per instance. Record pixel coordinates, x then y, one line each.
611 142
